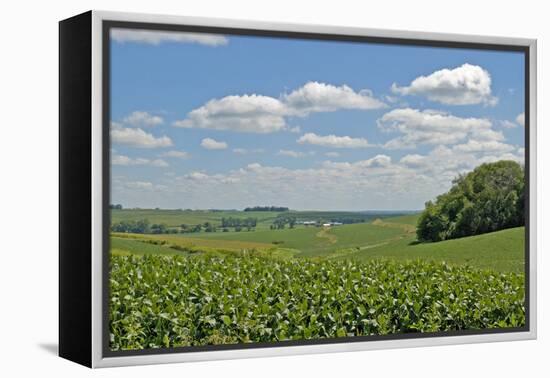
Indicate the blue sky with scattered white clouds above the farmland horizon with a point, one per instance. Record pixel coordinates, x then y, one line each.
211 121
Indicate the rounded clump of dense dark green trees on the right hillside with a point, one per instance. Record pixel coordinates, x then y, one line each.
490 198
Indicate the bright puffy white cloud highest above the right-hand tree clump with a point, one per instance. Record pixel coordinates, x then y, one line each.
465 85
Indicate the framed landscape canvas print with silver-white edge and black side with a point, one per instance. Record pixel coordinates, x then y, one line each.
235 189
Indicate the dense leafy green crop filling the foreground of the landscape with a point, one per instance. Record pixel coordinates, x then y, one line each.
167 301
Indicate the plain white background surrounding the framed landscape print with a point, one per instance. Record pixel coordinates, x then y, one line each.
28 148
